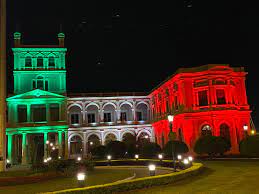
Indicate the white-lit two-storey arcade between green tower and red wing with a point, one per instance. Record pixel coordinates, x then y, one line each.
98 120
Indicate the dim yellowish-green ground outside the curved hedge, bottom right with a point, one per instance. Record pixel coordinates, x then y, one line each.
241 177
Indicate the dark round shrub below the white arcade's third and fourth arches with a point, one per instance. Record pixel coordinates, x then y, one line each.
116 148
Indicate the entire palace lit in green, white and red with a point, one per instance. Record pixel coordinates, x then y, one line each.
43 117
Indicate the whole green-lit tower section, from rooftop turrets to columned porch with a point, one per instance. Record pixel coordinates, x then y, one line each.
37 111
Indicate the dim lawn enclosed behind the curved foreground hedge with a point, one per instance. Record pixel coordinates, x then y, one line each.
100 175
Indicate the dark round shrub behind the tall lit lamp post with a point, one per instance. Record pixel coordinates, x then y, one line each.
178 146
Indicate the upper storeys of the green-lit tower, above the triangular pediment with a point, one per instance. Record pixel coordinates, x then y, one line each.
39 67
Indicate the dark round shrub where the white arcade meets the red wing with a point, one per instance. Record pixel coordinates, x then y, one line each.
149 149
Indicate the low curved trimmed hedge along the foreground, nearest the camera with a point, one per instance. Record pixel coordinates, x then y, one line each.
138 183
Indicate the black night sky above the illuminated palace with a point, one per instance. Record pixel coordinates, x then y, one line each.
127 46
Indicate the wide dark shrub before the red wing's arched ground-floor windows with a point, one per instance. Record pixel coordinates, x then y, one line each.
211 145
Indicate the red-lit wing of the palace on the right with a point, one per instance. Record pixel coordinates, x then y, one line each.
209 99
